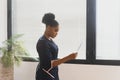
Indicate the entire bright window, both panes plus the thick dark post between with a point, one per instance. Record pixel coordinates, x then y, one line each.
96 24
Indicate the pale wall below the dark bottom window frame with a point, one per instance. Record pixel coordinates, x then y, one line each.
71 72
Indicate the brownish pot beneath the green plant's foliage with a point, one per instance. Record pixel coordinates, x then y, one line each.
6 73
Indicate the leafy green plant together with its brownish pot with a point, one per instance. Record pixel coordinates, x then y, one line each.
12 52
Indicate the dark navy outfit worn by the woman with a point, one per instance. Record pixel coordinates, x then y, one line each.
47 51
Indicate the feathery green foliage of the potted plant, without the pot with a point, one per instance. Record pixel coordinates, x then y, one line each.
12 51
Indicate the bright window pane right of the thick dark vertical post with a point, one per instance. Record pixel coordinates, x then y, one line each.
108 30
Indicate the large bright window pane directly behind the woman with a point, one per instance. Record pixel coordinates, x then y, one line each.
71 15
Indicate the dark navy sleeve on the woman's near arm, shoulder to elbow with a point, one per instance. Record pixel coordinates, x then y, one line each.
43 50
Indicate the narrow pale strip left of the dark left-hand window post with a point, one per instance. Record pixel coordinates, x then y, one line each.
3 21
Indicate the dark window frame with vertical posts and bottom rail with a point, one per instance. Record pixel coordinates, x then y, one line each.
90 39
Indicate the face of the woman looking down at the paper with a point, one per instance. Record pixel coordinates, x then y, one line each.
53 31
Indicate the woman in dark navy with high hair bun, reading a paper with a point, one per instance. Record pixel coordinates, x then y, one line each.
47 68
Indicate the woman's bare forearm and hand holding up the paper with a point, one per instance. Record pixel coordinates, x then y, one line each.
65 59
